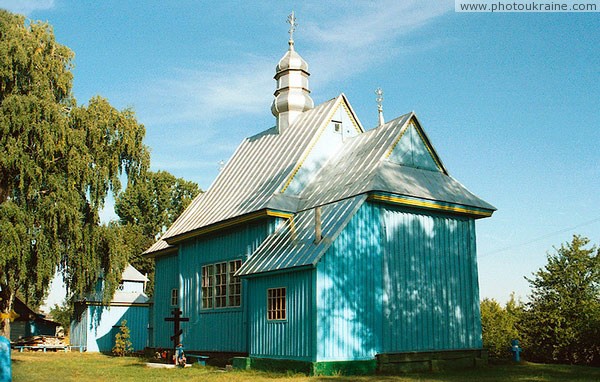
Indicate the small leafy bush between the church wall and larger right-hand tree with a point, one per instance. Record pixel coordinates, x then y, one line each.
500 326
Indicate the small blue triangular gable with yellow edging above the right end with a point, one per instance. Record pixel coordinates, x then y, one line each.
414 150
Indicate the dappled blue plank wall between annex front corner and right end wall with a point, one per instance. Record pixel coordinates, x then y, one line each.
349 291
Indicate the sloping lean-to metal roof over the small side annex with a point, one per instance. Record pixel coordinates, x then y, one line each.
293 245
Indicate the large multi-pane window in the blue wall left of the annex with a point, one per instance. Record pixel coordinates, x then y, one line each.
220 288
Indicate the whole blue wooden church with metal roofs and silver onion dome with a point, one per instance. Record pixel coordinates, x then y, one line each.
323 246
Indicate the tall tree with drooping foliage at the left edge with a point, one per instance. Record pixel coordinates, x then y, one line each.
58 162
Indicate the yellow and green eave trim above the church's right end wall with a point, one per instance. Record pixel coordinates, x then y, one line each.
409 201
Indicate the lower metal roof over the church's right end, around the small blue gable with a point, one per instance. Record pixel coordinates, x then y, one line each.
362 166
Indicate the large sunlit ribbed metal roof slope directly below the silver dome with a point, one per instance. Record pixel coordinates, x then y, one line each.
255 173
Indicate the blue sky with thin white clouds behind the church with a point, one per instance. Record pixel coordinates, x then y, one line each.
510 101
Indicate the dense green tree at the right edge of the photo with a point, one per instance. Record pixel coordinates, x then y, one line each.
562 319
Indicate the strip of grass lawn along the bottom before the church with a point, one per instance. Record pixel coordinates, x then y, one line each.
58 367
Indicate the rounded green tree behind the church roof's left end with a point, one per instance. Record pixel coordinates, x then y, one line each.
147 208
